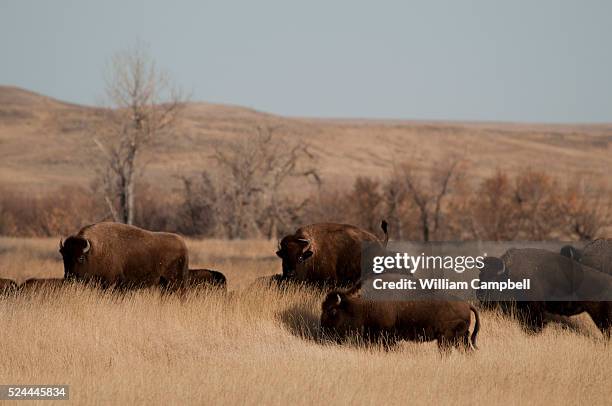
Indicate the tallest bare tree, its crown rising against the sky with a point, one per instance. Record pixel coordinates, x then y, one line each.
144 107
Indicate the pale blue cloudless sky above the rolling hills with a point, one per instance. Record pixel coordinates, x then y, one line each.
539 60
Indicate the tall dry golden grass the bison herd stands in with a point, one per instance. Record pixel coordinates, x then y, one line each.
258 346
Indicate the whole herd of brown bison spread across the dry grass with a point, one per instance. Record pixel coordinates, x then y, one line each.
330 255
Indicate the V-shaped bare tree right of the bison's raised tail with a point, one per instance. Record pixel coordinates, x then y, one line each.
428 193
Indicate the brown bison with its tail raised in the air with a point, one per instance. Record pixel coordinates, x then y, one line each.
327 253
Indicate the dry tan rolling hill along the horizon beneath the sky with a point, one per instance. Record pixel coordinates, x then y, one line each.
46 143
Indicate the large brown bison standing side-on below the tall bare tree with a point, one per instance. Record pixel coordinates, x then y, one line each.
115 254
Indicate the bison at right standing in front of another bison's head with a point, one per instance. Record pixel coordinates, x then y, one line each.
556 280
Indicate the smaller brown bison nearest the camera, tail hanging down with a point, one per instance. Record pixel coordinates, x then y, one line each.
446 321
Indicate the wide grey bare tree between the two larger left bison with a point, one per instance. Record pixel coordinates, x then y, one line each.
254 170
